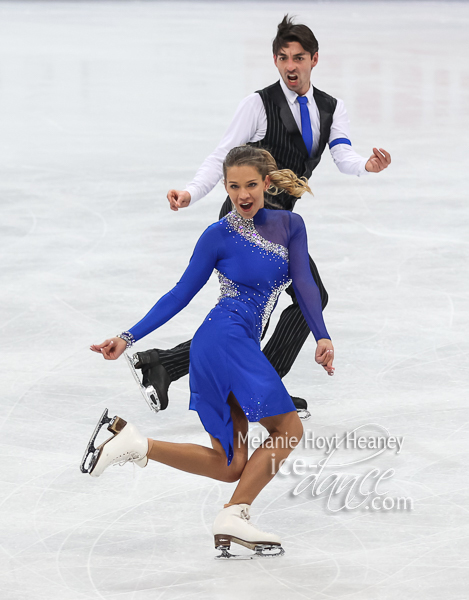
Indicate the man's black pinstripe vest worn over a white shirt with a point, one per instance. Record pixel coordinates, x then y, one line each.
283 139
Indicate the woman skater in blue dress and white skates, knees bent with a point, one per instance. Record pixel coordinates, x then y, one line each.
257 253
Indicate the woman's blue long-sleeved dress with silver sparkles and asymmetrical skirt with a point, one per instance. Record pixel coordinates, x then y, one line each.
255 260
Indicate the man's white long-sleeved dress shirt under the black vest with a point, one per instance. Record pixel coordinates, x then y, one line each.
249 124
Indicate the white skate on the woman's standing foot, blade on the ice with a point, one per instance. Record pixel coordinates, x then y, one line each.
232 525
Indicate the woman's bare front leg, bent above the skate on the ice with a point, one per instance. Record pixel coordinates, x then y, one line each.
286 432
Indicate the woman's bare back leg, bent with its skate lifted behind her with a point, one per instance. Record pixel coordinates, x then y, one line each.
209 462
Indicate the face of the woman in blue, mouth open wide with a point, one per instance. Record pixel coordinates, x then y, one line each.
246 189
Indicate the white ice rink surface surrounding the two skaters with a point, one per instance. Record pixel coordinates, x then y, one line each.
103 107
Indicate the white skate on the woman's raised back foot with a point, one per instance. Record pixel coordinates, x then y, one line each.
126 445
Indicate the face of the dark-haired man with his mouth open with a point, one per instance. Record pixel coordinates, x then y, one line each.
295 66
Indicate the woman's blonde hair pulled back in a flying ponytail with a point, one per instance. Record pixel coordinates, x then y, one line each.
281 180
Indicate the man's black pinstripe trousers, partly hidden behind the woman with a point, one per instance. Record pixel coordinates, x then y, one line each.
282 348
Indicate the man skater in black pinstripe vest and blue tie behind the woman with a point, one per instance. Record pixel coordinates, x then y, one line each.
295 122
